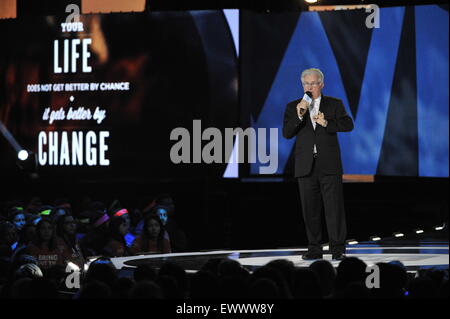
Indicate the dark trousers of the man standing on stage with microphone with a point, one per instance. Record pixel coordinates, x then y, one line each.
319 191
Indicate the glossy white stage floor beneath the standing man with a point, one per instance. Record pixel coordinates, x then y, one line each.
414 255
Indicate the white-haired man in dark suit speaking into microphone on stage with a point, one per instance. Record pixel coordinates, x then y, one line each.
318 164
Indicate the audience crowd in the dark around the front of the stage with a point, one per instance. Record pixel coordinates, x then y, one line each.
42 245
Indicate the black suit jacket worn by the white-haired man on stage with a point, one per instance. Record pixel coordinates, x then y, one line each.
325 138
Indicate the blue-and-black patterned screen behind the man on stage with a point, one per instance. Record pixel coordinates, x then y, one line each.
393 81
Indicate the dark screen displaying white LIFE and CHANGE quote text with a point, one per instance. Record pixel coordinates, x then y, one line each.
100 103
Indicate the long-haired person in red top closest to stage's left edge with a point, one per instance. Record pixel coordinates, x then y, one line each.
152 239
